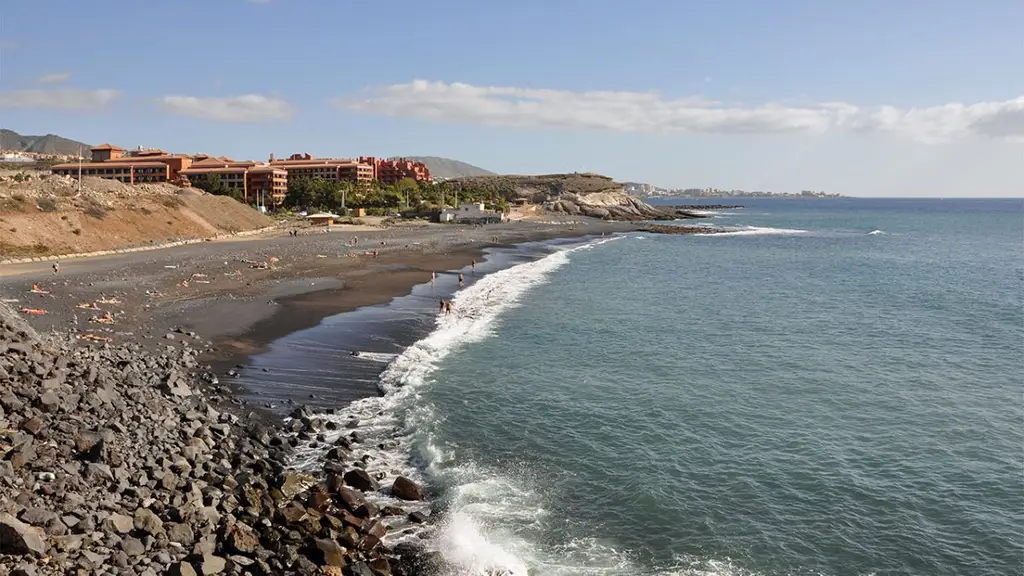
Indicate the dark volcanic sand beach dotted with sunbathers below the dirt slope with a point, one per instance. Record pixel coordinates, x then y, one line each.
233 298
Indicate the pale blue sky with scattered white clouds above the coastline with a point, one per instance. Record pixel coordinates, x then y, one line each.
895 98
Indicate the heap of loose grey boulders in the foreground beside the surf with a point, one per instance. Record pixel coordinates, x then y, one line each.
118 461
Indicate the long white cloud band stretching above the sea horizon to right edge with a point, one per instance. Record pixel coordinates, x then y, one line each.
650 112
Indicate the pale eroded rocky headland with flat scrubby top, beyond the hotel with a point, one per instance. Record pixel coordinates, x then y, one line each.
576 194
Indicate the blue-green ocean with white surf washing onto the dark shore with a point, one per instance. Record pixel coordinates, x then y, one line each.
834 388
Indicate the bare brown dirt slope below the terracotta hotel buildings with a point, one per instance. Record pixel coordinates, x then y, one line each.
49 216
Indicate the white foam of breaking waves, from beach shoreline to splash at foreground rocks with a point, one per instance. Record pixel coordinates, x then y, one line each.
396 431
